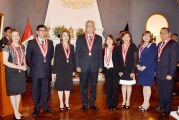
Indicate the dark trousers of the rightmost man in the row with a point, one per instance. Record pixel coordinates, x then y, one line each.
165 94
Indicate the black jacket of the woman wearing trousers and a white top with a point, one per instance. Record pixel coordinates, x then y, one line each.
115 59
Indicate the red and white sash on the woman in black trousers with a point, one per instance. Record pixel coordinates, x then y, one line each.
109 56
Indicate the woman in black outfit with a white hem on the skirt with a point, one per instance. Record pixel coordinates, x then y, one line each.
128 56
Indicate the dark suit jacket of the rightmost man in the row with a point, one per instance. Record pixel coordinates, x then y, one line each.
168 59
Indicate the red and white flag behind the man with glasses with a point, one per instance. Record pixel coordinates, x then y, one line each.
28 35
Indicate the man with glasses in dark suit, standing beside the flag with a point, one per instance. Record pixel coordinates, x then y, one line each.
39 55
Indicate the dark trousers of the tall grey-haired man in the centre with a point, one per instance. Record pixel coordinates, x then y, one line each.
88 78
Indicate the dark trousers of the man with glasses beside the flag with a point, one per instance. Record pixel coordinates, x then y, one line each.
41 92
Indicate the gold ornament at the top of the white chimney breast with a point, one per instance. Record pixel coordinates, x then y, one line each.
78 4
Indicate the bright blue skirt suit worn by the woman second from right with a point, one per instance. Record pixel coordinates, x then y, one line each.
147 59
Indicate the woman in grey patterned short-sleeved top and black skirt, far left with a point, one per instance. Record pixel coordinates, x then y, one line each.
15 67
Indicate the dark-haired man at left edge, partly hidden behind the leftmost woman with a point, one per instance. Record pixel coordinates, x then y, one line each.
6 39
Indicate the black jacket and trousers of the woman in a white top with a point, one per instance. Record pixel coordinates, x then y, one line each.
112 79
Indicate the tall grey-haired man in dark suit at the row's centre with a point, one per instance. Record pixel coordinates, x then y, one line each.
88 58
